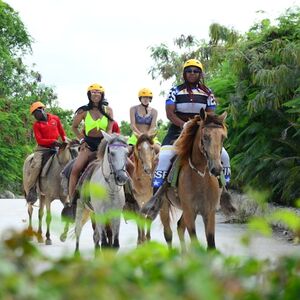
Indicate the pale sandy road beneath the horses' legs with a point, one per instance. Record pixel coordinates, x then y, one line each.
13 216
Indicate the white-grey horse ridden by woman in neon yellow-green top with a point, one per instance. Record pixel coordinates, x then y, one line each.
108 171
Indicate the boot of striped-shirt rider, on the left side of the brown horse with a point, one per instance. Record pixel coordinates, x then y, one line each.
152 207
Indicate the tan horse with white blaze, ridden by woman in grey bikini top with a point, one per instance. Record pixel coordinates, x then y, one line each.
144 164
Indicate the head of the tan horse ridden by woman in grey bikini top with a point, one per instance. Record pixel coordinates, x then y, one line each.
144 152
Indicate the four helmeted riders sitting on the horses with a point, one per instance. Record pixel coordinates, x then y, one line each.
184 101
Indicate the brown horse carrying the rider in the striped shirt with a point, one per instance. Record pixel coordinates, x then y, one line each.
199 150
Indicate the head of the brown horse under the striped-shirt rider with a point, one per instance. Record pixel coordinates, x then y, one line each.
212 134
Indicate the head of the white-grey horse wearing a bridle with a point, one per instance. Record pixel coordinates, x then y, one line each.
117 154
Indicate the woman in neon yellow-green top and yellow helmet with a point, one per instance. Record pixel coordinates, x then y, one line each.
96 117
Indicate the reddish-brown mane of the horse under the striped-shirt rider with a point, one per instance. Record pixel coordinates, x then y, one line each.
184 143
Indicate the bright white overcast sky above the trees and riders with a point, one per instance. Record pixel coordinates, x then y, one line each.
78 43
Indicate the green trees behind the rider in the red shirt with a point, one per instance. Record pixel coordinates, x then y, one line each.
19 87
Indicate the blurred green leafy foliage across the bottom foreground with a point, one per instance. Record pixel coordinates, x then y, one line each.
150 271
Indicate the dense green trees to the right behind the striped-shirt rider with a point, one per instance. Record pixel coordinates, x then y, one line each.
256 78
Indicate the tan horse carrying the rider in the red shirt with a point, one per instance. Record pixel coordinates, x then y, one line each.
50 188
